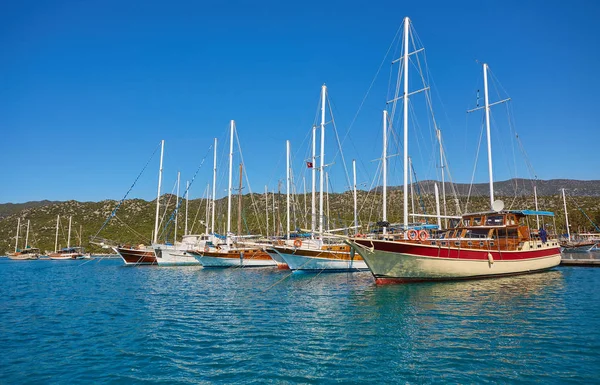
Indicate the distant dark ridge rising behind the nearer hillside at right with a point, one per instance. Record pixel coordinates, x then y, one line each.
517 187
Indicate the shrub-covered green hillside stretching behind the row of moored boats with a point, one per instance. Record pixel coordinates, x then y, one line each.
134 221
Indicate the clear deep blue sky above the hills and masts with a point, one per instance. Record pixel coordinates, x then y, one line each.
89 88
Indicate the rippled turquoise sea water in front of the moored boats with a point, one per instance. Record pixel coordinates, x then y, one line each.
100 322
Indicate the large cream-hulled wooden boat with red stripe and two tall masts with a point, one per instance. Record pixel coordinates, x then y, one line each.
489 244
